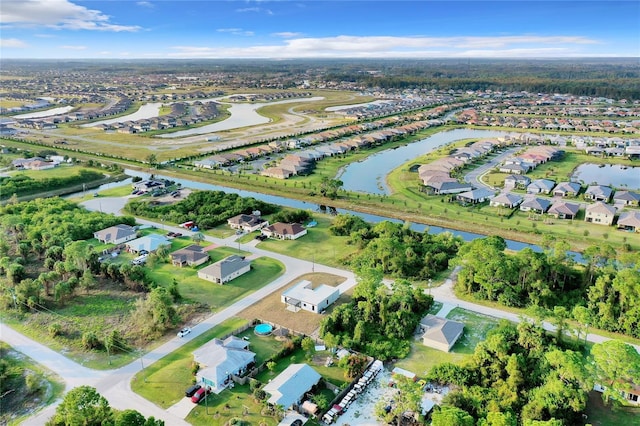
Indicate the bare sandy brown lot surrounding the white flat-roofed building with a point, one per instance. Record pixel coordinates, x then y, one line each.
271 309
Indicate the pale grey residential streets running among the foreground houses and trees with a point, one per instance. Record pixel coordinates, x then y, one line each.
115 384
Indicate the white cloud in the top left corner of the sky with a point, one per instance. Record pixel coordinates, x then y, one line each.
59 14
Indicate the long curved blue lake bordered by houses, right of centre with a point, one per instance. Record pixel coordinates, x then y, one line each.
370 174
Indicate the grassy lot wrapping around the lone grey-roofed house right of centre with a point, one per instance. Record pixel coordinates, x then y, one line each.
422 358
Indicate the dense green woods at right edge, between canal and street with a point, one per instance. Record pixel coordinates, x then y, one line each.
603 293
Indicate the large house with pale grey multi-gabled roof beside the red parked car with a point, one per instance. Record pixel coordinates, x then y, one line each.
220 359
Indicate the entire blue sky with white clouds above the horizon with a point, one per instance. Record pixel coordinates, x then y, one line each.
318 29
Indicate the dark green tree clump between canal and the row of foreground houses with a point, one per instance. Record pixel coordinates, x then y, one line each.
206 208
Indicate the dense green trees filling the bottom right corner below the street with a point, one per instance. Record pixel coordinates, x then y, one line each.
520 374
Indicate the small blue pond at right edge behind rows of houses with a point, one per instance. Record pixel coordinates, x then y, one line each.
620 177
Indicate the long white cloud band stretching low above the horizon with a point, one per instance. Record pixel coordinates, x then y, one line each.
397 47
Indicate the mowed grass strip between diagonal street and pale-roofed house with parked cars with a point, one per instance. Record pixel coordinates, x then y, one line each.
164 381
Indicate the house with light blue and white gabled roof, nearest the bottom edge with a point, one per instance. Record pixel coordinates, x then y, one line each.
290 386
